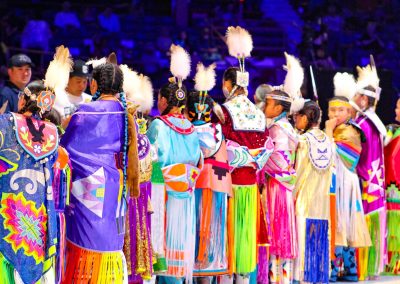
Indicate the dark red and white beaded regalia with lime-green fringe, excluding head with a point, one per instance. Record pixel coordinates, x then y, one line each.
248 150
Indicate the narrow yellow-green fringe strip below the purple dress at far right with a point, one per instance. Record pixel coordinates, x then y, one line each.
373 255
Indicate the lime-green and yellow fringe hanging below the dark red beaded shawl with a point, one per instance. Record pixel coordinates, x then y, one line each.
245 228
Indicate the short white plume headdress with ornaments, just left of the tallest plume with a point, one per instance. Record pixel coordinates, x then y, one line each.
204 82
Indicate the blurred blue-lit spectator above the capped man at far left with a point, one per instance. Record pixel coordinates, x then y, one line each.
36 34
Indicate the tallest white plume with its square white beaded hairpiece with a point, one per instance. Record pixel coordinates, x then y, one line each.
240 45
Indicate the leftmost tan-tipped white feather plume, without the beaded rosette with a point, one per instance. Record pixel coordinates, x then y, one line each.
57 74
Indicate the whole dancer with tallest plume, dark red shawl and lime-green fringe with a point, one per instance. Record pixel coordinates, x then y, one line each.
248 150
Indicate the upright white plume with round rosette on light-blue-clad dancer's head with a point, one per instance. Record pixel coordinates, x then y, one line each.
180 68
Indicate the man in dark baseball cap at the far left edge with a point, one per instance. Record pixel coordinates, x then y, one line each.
19 73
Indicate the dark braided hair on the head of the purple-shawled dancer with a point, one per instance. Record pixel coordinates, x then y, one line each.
109 78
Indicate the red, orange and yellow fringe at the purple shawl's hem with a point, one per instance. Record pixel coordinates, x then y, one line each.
93 267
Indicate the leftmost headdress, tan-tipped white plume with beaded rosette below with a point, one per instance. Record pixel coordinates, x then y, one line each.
56 79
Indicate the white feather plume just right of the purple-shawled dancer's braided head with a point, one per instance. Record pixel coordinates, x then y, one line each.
138 89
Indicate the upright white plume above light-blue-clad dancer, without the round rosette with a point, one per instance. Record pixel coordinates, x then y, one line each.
180 62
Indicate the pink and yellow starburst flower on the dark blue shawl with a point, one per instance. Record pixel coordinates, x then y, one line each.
26 225
